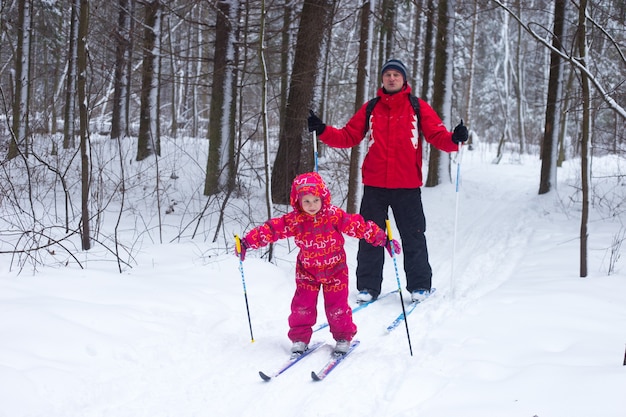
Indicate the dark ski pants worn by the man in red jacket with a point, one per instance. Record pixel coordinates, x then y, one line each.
410 222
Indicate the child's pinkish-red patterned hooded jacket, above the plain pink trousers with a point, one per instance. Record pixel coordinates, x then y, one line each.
320 236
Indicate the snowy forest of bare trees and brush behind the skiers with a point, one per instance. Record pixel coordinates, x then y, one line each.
91 90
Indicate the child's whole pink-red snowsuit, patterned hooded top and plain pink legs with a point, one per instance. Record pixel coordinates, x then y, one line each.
321 261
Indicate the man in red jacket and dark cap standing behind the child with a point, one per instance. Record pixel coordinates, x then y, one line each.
392 175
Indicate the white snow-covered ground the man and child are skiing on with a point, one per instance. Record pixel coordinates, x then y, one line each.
512 331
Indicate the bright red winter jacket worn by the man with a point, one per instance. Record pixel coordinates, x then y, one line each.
394 154
